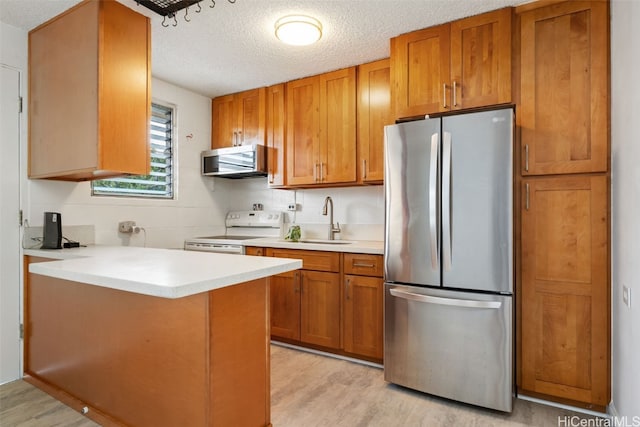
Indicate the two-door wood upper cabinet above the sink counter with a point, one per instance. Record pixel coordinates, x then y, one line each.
321 129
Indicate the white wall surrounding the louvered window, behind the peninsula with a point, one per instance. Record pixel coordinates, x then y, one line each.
197 210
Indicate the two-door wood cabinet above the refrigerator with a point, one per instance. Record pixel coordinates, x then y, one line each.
462 64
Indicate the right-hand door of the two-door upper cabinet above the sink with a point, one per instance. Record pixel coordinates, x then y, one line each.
338 126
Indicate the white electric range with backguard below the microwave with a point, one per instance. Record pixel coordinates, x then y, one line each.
241 228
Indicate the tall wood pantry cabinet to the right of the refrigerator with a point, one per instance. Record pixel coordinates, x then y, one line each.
563 119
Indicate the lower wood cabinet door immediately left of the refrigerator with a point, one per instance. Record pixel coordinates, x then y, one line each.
363 315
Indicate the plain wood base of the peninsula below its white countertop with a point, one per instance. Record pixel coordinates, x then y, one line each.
138 360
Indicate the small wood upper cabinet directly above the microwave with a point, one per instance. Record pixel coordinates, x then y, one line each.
239 119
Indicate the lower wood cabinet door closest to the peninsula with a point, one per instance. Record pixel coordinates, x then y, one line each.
285 305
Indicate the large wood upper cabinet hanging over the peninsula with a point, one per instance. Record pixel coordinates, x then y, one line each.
92 122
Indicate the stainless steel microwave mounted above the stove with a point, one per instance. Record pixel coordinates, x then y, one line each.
235 162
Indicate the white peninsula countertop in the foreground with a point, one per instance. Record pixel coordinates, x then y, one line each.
166 273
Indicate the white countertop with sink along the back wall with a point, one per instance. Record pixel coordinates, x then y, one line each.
359 247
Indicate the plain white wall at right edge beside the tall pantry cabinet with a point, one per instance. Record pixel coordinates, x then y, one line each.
625 210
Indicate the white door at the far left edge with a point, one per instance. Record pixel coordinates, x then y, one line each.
10 295
